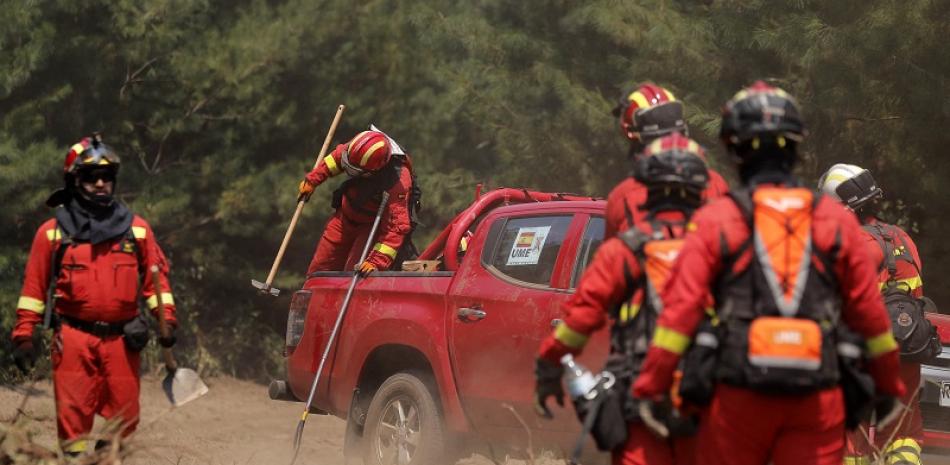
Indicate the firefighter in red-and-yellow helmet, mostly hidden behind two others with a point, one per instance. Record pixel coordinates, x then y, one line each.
646 113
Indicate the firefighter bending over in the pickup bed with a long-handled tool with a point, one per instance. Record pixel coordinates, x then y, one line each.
375 163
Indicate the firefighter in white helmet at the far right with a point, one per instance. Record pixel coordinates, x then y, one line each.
856 187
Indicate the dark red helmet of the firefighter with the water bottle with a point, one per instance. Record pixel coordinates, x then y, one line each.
674 170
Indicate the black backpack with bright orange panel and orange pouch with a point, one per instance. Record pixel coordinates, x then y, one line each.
779 310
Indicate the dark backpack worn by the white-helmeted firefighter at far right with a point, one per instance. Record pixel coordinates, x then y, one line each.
916 336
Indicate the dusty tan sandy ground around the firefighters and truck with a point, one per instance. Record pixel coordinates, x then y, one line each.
235 423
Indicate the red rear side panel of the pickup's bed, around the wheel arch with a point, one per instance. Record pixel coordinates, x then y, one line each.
386 308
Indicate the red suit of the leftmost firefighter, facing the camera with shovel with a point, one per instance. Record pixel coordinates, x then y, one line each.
92 374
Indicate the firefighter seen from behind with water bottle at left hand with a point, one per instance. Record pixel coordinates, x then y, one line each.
617 285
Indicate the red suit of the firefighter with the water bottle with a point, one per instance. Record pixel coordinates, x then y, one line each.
603 287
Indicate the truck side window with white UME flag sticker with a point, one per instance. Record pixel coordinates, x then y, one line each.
527 248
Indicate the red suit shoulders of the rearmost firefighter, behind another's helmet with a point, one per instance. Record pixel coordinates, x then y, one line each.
623 202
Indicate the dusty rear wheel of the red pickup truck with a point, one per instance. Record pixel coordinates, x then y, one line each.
403 425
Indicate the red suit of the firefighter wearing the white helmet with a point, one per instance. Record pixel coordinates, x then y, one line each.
912 426
